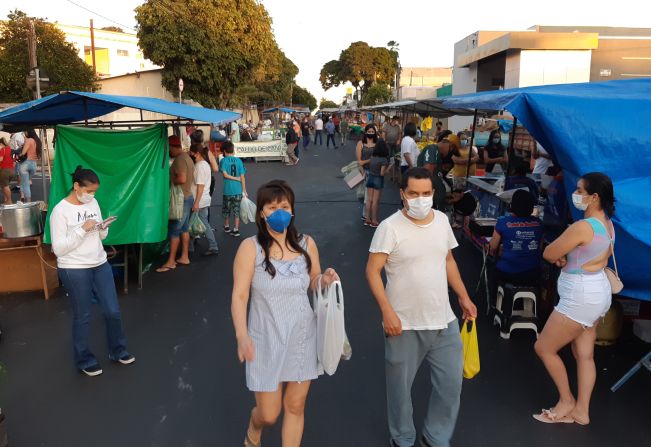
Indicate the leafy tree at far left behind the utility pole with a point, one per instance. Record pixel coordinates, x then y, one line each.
55 55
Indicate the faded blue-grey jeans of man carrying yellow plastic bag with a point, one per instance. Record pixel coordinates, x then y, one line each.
442 350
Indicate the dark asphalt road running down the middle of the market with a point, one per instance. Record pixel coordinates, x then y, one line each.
187 389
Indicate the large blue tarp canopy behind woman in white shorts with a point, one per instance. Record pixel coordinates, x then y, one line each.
601 126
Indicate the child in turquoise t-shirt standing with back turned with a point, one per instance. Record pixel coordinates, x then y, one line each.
233 171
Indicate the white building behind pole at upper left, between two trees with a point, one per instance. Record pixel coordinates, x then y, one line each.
116 53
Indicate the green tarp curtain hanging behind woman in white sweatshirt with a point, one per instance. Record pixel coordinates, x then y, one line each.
133 170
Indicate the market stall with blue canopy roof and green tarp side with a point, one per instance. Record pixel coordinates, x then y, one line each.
140 154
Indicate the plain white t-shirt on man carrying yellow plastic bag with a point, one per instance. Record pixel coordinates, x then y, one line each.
417 285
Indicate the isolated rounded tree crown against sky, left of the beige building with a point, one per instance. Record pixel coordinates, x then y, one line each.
362 66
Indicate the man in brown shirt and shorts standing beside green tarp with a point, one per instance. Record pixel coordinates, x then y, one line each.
181 174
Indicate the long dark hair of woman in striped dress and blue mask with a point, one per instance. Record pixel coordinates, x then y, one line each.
272 192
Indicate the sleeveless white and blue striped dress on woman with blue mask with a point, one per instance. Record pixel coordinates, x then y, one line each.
282 325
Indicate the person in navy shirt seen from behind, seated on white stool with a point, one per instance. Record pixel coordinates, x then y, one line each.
520 236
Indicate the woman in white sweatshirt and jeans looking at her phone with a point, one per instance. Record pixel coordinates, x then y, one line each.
77 231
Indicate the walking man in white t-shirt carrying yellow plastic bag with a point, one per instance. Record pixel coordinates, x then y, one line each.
414 247
